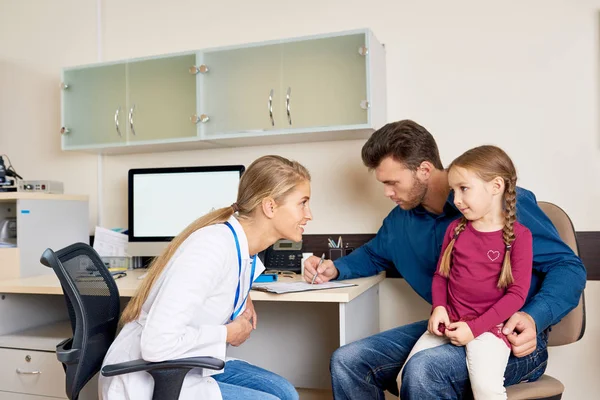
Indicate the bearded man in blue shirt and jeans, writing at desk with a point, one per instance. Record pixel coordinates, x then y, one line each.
405 158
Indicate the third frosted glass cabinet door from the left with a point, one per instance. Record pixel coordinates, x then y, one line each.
236 91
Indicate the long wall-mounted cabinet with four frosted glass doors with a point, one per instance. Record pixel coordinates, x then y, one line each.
327 87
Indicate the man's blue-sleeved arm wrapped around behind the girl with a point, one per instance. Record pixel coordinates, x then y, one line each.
565 275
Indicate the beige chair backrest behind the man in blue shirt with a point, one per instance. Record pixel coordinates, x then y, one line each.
571 328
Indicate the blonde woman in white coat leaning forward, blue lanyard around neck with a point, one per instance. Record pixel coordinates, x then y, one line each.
194 301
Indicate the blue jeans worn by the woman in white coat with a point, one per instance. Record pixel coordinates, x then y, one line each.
241 380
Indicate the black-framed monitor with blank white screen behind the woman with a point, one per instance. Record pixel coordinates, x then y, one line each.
163 201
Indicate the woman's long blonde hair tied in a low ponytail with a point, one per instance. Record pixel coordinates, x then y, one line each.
268 176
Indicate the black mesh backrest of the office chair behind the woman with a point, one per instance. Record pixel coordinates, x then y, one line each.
93 303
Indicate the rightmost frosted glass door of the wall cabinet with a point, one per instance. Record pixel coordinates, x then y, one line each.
326 80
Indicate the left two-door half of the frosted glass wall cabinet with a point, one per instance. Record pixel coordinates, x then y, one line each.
125 104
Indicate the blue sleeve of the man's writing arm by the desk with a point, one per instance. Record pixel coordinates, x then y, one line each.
370 258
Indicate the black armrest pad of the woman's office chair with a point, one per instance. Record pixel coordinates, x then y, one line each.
142 365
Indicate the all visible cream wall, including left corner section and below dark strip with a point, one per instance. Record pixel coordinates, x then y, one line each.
520 74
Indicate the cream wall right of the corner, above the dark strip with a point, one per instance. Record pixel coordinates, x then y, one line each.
523 76
